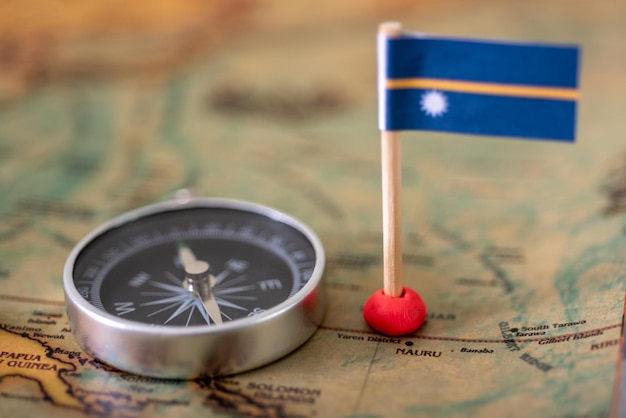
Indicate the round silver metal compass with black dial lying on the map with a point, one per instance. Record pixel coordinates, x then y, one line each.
202 287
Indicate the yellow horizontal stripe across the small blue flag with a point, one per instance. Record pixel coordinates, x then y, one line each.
483 88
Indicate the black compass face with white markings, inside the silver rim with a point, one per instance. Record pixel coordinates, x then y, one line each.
139 271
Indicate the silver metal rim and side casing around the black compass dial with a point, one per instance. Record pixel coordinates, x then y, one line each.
198 350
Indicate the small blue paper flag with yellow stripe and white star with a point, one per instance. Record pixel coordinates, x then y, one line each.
477 87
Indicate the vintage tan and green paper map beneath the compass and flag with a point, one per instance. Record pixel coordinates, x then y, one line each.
517 247
